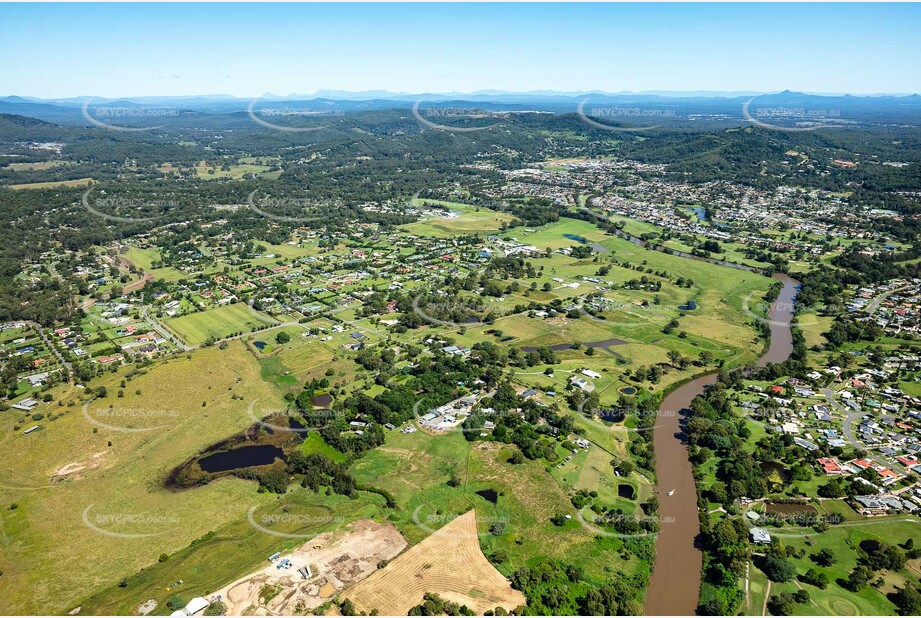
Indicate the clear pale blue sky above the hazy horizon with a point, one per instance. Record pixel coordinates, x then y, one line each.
58 50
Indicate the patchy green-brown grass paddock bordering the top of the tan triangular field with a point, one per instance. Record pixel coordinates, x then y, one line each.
415 468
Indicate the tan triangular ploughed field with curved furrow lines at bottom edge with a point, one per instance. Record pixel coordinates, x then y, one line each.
449 563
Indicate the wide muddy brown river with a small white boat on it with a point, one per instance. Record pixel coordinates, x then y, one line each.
675 583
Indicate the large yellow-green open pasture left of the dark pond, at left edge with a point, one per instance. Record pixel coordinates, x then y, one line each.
77 470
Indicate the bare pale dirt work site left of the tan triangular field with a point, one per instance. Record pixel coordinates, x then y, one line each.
336 561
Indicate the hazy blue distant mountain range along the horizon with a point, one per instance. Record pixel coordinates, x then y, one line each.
682 105
